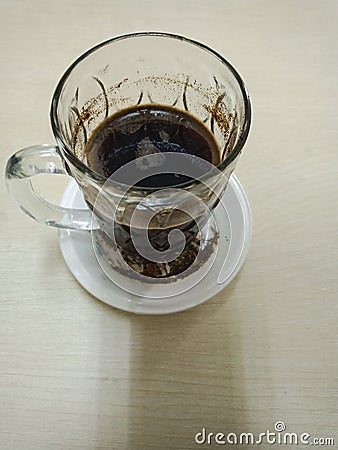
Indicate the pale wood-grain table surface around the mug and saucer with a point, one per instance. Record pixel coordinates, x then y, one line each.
78 374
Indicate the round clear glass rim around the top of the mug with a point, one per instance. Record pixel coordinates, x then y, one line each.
101 179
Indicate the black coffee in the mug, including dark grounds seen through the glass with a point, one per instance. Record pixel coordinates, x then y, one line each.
142 131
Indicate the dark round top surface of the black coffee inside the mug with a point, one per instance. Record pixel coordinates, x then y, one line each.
146 130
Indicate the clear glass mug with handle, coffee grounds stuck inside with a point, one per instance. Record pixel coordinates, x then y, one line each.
133 70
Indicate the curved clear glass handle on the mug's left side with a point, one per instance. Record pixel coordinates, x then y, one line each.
22 167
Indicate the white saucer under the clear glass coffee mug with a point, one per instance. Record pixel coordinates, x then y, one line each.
233 219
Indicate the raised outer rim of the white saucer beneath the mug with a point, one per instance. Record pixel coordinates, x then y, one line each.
131 302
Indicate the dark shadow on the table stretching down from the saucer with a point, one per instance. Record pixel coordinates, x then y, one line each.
185 375
